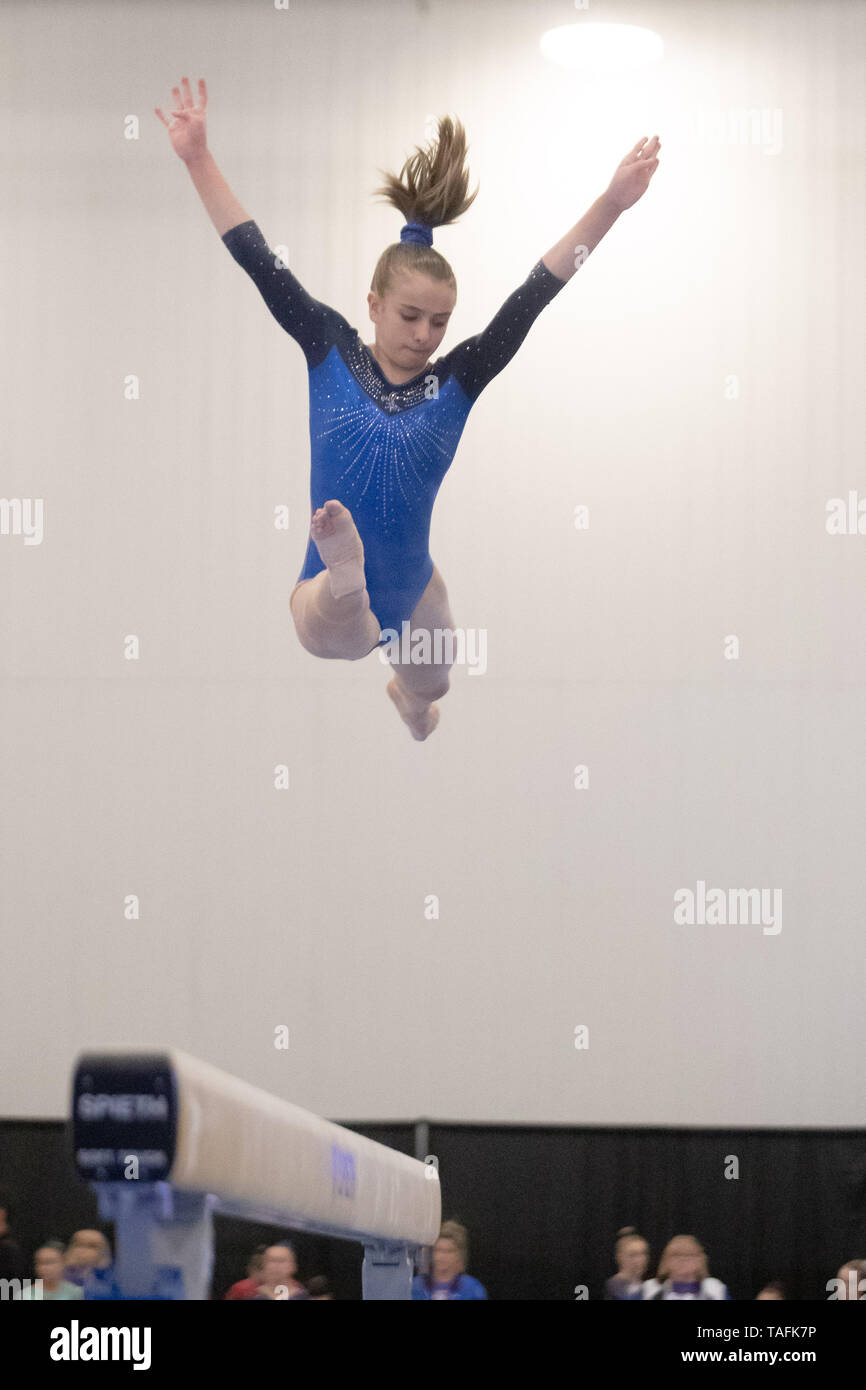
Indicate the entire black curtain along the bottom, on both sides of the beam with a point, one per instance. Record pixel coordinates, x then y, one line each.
543 1204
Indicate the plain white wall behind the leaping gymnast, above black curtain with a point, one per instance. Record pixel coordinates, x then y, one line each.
155 778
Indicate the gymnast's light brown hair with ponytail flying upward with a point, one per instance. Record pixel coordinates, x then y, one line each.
432 188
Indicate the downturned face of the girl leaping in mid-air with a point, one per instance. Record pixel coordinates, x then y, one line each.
411 320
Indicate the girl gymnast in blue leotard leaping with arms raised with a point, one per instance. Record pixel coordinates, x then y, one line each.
386 419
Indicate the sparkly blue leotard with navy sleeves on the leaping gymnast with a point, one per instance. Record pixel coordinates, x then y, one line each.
379 448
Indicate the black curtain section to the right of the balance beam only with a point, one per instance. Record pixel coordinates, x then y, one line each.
543 1206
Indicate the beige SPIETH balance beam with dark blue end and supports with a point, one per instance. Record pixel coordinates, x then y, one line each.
168 1140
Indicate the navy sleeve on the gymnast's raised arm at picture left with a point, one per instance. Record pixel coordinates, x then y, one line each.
312 325
